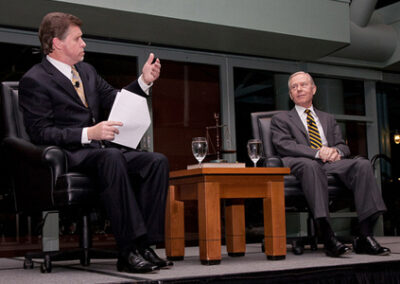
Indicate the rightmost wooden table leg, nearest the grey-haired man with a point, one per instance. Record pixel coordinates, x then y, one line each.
274 221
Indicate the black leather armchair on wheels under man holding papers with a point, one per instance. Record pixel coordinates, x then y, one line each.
41 182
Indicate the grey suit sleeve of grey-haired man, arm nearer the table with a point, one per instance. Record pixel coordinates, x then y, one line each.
284 140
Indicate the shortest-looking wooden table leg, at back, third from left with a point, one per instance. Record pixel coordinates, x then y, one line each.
235 230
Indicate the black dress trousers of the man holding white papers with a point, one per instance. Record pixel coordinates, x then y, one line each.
133 188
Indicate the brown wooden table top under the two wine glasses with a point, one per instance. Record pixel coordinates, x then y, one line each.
230 171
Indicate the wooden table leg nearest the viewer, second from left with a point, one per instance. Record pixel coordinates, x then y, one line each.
209 223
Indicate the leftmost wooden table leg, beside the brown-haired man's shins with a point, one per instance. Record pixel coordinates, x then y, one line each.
174 226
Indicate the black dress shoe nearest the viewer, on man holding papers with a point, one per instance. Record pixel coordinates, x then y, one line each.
135 263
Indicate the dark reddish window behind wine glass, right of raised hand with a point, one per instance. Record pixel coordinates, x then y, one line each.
184 101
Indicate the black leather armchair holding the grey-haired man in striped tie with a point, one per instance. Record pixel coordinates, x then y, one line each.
294 197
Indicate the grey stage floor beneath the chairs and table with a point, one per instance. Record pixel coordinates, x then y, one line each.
253 265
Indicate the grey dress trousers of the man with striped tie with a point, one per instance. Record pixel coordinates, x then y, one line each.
356 174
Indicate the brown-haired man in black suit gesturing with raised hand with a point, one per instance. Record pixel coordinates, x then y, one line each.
62 99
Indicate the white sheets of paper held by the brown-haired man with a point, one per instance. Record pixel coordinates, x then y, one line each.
132 110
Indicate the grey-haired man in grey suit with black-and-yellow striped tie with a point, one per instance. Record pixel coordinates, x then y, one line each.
311 144
